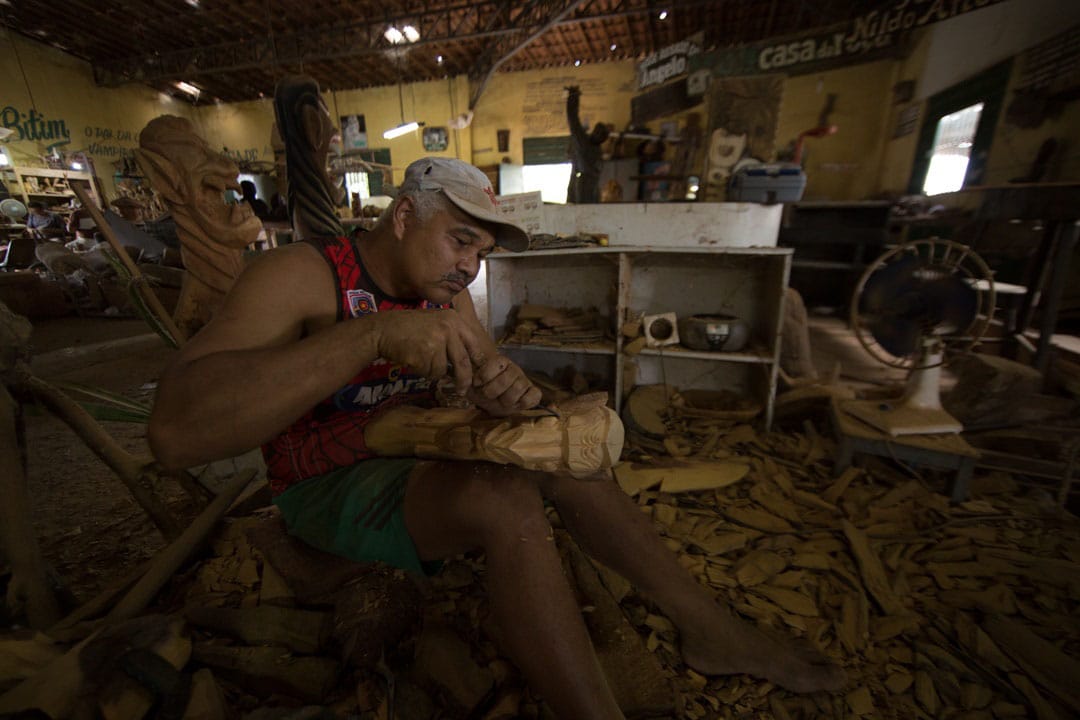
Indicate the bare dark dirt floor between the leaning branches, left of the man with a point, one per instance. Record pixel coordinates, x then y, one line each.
89 527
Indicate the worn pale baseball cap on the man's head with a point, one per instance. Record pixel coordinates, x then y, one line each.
469 189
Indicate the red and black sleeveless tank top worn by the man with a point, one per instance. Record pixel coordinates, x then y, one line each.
332 434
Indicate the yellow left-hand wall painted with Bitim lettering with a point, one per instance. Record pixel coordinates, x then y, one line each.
103 123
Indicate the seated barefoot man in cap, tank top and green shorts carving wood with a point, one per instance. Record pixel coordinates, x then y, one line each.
320 338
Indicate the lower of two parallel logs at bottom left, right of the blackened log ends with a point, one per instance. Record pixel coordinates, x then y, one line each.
268 671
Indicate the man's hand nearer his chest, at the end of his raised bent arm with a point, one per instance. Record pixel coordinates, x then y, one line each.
430 343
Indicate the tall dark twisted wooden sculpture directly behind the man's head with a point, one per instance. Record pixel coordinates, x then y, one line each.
305 126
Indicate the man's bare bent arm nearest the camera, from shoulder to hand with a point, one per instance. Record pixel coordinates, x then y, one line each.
275 351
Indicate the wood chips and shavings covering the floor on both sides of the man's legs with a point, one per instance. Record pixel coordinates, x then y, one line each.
935 610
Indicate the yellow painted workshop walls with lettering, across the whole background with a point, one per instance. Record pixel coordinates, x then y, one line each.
862 160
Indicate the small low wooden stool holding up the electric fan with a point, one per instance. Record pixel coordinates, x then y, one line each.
947 452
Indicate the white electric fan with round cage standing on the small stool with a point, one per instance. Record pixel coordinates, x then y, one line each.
915 307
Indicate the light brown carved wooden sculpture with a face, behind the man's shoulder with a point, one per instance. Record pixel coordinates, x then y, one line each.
193 179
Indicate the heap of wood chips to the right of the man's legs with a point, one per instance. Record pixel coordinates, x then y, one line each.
935 610
